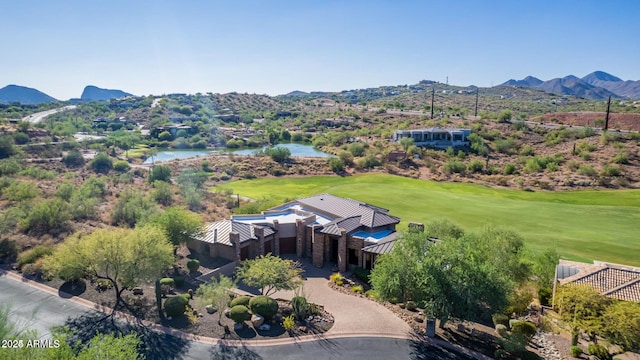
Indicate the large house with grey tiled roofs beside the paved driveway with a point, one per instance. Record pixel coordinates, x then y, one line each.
325 228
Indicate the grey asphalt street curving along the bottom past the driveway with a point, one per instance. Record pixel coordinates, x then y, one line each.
36 309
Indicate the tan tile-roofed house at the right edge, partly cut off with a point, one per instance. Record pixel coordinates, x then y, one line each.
612 280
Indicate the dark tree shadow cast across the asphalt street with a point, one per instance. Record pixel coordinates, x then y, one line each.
154 345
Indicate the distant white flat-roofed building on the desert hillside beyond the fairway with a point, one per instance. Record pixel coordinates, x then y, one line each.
435 137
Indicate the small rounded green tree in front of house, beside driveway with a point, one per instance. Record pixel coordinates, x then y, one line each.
270 273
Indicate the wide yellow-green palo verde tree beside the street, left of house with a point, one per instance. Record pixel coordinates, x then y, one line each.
123 257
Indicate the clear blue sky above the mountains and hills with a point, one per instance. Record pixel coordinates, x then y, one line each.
273 47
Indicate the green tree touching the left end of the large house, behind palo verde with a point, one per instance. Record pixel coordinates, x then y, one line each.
179 225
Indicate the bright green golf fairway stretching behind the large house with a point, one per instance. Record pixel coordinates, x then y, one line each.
581 225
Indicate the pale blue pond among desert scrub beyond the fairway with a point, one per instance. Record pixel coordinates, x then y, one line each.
297 150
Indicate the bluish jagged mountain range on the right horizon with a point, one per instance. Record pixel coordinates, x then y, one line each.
598 85
